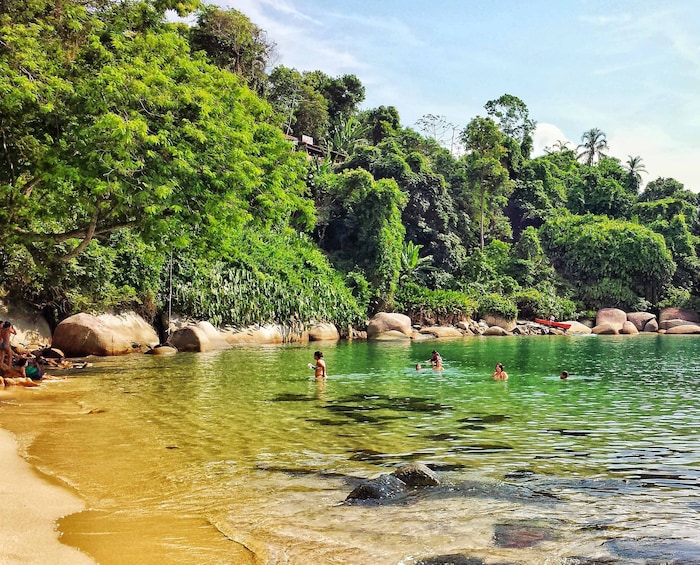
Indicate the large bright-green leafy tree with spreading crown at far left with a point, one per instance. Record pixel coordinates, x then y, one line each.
111 124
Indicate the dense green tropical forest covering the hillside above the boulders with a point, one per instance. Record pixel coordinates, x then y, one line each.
155 158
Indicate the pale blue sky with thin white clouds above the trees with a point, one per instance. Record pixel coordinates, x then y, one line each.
628 68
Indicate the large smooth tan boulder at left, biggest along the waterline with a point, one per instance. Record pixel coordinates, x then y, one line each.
107 334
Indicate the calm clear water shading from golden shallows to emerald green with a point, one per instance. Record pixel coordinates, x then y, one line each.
241 457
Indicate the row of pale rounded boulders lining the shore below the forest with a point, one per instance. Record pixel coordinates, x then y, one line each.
109 334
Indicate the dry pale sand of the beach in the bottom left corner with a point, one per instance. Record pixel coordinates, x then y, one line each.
30 505
